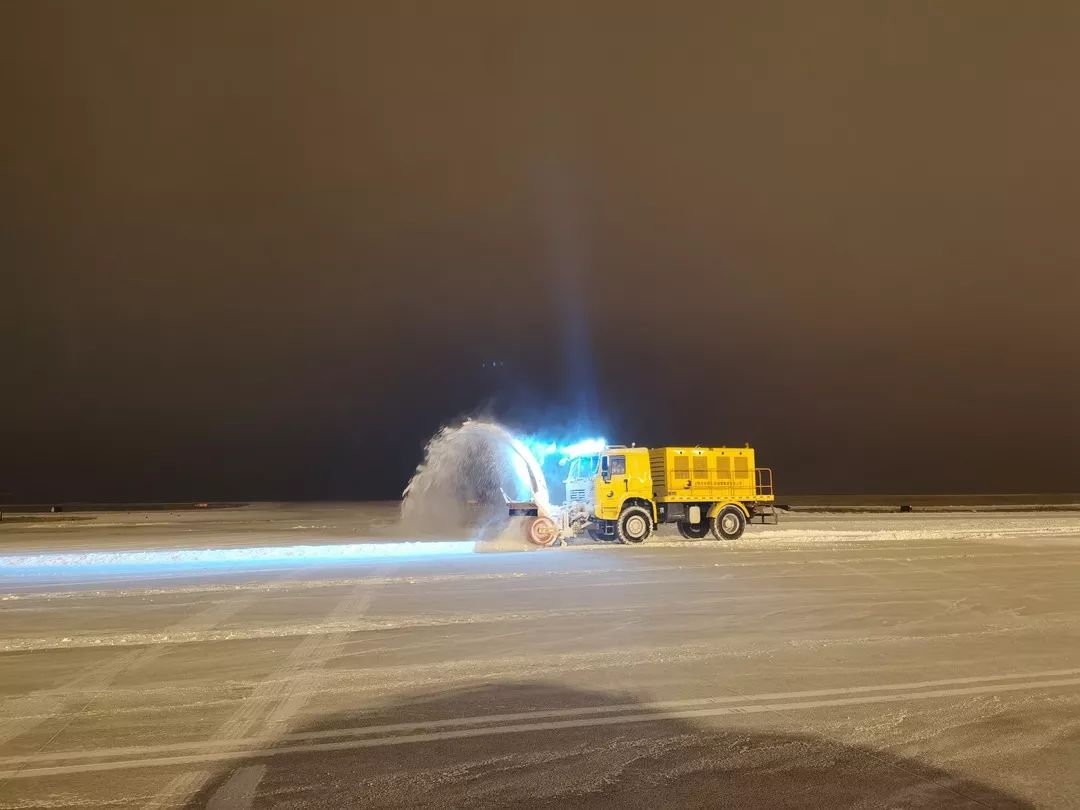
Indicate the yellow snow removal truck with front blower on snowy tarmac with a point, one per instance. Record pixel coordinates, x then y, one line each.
625 493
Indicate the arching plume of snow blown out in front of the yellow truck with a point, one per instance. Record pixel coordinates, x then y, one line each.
468 474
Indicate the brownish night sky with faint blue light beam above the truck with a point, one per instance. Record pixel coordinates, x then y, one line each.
258 250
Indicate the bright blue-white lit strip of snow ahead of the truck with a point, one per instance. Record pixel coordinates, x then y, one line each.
267 555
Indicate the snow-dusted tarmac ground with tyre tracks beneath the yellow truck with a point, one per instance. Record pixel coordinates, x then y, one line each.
887 660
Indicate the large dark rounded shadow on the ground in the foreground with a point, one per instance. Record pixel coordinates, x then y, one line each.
655 764
